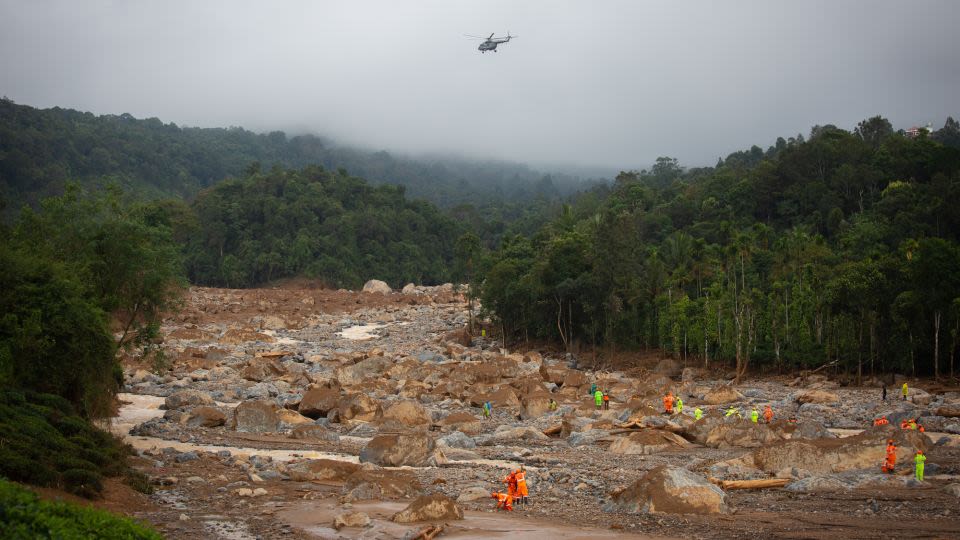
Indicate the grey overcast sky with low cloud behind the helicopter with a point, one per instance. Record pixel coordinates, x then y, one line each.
613 83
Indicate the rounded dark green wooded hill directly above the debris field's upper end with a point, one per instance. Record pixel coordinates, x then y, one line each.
325 225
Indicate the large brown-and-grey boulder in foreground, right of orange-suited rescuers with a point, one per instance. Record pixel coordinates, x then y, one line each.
670 490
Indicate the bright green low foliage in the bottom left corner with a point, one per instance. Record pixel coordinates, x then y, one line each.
24 516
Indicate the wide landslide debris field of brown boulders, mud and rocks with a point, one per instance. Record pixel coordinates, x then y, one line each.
304 413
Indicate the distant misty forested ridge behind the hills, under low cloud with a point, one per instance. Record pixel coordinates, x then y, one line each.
41 149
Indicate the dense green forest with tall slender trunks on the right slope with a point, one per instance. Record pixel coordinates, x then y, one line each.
839 248
